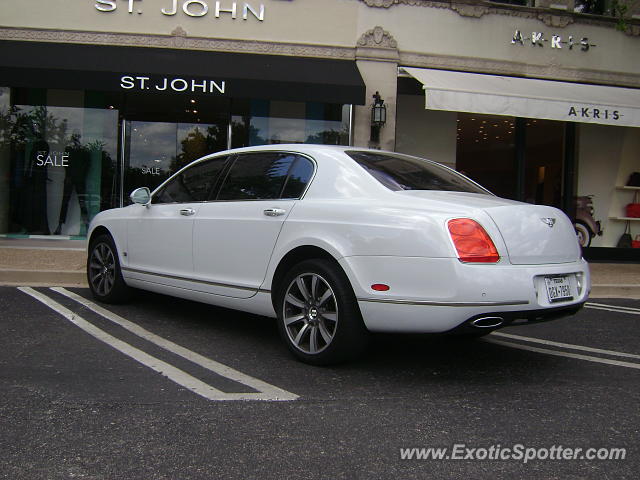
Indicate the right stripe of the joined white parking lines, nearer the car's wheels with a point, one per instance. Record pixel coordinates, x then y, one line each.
267 391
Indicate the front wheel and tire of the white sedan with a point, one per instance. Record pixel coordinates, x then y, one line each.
103 271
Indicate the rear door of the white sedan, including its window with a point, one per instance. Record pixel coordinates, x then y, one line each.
236 232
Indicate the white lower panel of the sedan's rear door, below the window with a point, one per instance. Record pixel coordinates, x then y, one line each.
233 242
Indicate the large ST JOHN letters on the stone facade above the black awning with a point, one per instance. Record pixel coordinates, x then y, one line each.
191 8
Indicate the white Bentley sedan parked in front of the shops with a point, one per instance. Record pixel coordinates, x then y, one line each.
337 242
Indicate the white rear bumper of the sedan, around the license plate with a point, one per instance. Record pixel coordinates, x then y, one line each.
440 295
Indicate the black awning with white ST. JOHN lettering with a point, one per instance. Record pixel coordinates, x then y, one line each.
165 70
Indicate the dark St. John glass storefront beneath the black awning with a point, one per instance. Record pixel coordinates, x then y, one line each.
66 155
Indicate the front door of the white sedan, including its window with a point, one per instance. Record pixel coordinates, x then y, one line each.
160 235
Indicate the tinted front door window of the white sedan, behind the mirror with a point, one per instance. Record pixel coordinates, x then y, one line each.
192 185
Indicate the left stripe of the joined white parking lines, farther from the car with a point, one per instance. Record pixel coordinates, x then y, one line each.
172 373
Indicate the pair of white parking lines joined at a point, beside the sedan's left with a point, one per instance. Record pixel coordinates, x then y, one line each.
266 391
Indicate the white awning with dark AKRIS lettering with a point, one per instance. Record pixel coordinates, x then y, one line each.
530 98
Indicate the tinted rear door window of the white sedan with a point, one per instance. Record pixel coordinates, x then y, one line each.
257 176
